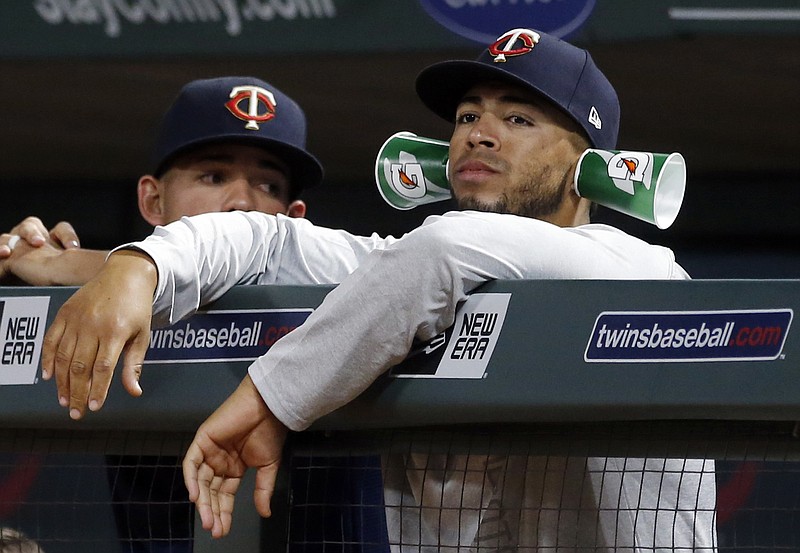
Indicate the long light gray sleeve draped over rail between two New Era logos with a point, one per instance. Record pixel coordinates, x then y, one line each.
413 287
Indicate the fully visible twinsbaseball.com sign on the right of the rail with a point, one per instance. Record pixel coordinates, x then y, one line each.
750 335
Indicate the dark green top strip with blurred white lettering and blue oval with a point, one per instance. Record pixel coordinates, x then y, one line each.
129 28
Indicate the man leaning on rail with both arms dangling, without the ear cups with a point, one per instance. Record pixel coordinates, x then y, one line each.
523 114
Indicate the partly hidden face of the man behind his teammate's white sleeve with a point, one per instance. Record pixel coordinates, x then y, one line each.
224 177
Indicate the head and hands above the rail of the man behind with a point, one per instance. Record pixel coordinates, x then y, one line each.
227 143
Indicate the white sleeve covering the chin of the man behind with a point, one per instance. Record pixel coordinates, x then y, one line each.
200 258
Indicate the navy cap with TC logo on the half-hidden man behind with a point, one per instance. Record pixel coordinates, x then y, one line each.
237 109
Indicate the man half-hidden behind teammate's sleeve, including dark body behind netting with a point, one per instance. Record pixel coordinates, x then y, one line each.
224 144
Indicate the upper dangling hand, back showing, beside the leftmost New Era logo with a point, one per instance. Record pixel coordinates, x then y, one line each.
107 317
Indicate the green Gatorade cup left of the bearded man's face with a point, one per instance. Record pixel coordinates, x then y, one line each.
412 170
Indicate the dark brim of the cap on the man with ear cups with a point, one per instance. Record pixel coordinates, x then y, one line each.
442 85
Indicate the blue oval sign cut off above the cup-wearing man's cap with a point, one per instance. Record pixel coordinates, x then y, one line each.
483 21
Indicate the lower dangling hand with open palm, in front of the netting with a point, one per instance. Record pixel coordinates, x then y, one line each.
241 433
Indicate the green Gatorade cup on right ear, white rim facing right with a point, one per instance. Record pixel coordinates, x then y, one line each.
645 185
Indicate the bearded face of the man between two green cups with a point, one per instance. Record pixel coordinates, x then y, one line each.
511 152
